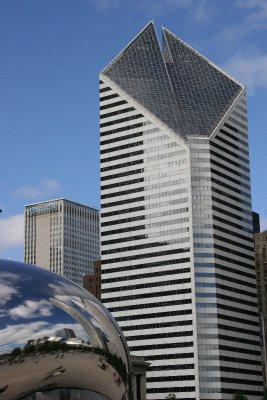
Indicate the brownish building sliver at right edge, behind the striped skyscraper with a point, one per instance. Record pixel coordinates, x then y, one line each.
261 269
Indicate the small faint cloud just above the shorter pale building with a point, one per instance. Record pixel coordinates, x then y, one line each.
44 188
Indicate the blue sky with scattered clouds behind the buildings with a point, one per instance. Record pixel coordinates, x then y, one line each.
51 53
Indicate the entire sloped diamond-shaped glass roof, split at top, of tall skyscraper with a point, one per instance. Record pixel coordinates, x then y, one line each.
177 85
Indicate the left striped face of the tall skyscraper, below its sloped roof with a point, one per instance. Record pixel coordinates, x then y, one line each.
146 274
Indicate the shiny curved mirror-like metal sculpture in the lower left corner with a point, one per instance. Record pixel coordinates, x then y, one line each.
57 341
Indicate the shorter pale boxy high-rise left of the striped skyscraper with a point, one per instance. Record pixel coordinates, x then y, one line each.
62 236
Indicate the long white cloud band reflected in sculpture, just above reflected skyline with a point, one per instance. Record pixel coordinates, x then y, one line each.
18 335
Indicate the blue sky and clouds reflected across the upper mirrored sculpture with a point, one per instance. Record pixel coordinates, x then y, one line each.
40 310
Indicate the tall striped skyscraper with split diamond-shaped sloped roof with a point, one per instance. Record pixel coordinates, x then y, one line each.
178 268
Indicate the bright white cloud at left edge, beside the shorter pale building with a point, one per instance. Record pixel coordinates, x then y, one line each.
11 231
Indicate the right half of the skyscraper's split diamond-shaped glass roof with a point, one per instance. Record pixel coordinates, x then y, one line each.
203 92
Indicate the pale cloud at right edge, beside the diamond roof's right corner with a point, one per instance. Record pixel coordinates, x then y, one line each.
250 69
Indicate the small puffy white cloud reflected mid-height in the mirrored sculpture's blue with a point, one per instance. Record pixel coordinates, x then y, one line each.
31 309
